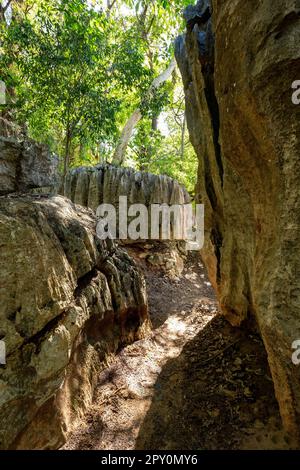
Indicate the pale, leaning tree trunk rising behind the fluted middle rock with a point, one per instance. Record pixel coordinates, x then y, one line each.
119 155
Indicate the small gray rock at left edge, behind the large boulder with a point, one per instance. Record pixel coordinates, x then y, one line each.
26 165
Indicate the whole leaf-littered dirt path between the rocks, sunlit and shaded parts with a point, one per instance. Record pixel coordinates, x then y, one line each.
195 383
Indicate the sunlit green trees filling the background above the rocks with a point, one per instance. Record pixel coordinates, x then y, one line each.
77 70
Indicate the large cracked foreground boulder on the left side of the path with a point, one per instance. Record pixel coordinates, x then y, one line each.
68 301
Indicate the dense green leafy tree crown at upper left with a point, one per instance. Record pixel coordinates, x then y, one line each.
72 70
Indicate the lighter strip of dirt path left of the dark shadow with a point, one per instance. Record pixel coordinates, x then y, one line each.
179 310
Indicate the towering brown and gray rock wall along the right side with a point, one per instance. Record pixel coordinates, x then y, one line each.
238 61
